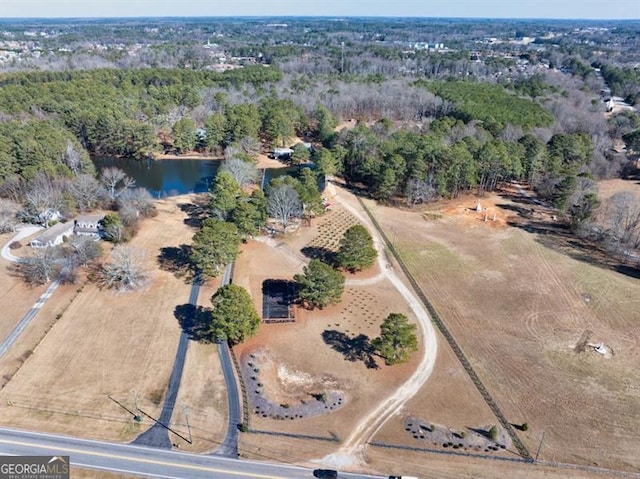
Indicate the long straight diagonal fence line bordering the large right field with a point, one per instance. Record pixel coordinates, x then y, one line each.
435 318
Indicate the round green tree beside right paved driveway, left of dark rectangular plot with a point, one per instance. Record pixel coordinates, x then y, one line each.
233 317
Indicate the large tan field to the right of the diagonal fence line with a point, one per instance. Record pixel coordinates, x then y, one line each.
518 308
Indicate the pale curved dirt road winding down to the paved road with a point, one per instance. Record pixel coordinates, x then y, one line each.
350 453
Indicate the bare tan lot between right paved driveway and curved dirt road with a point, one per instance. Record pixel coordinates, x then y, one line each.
321 344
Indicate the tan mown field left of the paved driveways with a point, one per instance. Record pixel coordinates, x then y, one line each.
114 344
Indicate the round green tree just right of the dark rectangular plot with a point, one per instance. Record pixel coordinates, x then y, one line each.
319 284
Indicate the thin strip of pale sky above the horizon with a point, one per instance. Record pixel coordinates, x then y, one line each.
588 9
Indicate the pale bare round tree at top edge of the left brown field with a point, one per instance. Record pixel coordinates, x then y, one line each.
125 270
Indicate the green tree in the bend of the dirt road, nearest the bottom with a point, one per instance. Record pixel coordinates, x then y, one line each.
397 339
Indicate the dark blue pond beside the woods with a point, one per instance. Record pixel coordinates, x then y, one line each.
165 177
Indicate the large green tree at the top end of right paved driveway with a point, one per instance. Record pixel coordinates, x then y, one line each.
214 246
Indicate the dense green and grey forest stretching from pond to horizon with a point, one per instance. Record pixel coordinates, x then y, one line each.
433 121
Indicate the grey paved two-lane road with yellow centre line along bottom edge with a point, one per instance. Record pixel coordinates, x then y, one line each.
146 461
